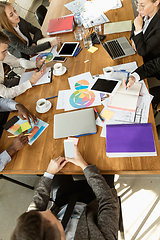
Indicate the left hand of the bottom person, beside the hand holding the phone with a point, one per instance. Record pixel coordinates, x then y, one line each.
56 165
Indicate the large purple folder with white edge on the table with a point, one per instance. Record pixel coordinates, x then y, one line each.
130 140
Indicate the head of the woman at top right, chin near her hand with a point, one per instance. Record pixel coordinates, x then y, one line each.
147 7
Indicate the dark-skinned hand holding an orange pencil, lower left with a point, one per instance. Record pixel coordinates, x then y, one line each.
18 143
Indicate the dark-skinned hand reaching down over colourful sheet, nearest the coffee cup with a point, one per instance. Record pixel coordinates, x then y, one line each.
24 113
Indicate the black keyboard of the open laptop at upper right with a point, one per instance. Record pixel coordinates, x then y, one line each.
114 49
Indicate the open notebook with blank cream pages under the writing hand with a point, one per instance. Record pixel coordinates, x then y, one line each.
125 99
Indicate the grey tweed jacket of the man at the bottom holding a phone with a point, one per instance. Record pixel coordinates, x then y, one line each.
99 219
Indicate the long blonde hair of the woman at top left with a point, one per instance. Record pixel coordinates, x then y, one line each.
5 24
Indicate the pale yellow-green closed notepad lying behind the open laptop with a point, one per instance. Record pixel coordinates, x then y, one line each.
117 27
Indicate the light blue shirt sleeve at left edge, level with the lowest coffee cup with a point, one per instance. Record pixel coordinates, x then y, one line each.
7 105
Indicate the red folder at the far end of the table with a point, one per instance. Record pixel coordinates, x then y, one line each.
61 25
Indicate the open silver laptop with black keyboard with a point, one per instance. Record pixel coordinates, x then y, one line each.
117 48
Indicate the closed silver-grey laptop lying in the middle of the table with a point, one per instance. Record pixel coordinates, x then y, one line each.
76 123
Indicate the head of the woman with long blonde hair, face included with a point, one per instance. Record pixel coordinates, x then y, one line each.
9 18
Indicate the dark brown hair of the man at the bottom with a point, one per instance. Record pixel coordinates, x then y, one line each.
32 226
